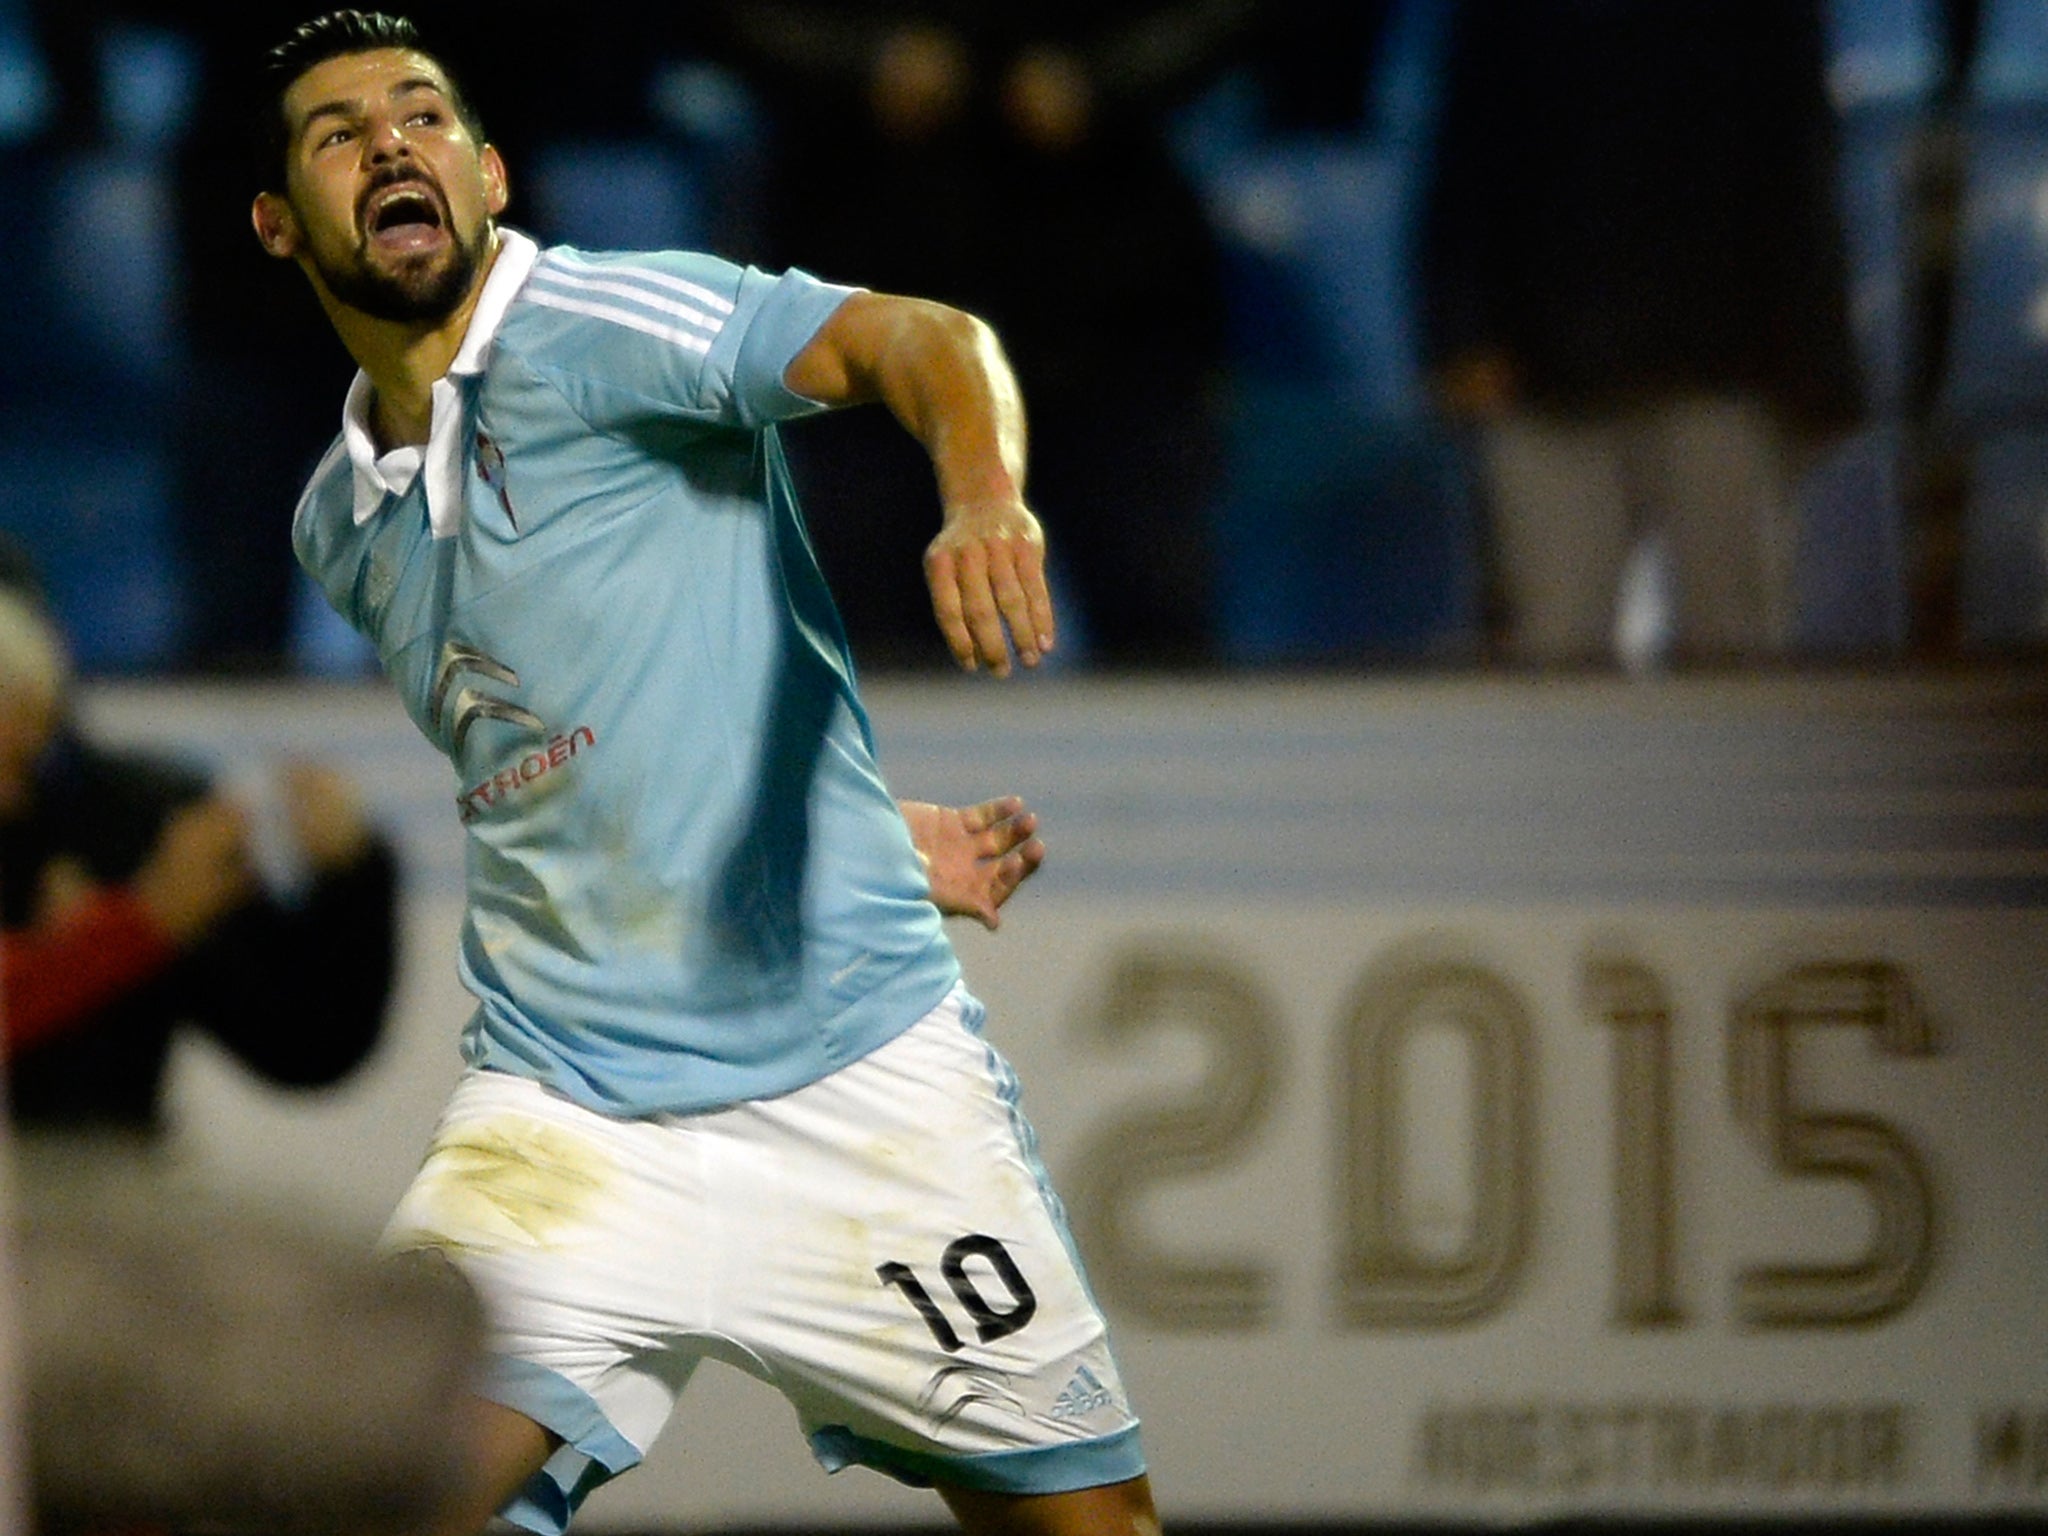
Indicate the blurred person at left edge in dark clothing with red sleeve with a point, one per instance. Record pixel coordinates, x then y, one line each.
130 908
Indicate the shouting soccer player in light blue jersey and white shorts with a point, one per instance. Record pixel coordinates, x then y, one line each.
726 1093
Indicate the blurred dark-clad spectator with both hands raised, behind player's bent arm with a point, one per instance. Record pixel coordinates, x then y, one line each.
1013 161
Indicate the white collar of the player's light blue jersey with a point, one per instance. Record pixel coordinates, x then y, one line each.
392 474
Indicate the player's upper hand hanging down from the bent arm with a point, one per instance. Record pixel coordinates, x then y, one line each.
988 577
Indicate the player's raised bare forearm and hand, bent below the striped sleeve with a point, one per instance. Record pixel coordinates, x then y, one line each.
945 378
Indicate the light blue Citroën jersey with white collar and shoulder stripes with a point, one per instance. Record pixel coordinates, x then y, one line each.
687 880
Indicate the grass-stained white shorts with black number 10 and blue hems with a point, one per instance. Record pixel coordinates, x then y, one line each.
882 1246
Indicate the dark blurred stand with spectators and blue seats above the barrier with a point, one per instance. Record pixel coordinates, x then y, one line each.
1377 335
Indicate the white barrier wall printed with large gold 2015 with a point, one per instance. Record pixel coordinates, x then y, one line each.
1478 1101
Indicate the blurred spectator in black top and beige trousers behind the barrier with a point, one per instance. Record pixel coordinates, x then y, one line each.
1637 292
